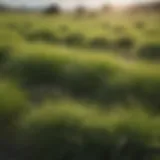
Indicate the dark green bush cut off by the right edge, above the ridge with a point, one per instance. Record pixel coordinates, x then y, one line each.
150 51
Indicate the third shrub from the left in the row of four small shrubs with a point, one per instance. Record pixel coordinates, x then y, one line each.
99 42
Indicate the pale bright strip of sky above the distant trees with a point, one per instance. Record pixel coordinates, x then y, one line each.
69 3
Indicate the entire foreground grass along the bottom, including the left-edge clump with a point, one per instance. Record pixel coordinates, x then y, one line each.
66 128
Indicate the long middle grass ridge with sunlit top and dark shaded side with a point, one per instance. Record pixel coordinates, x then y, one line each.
81 73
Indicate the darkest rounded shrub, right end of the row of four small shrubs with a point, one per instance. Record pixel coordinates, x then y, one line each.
124 43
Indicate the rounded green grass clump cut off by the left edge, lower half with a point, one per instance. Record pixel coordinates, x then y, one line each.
12 104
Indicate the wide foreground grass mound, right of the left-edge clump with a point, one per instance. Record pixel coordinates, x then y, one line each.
70 131
